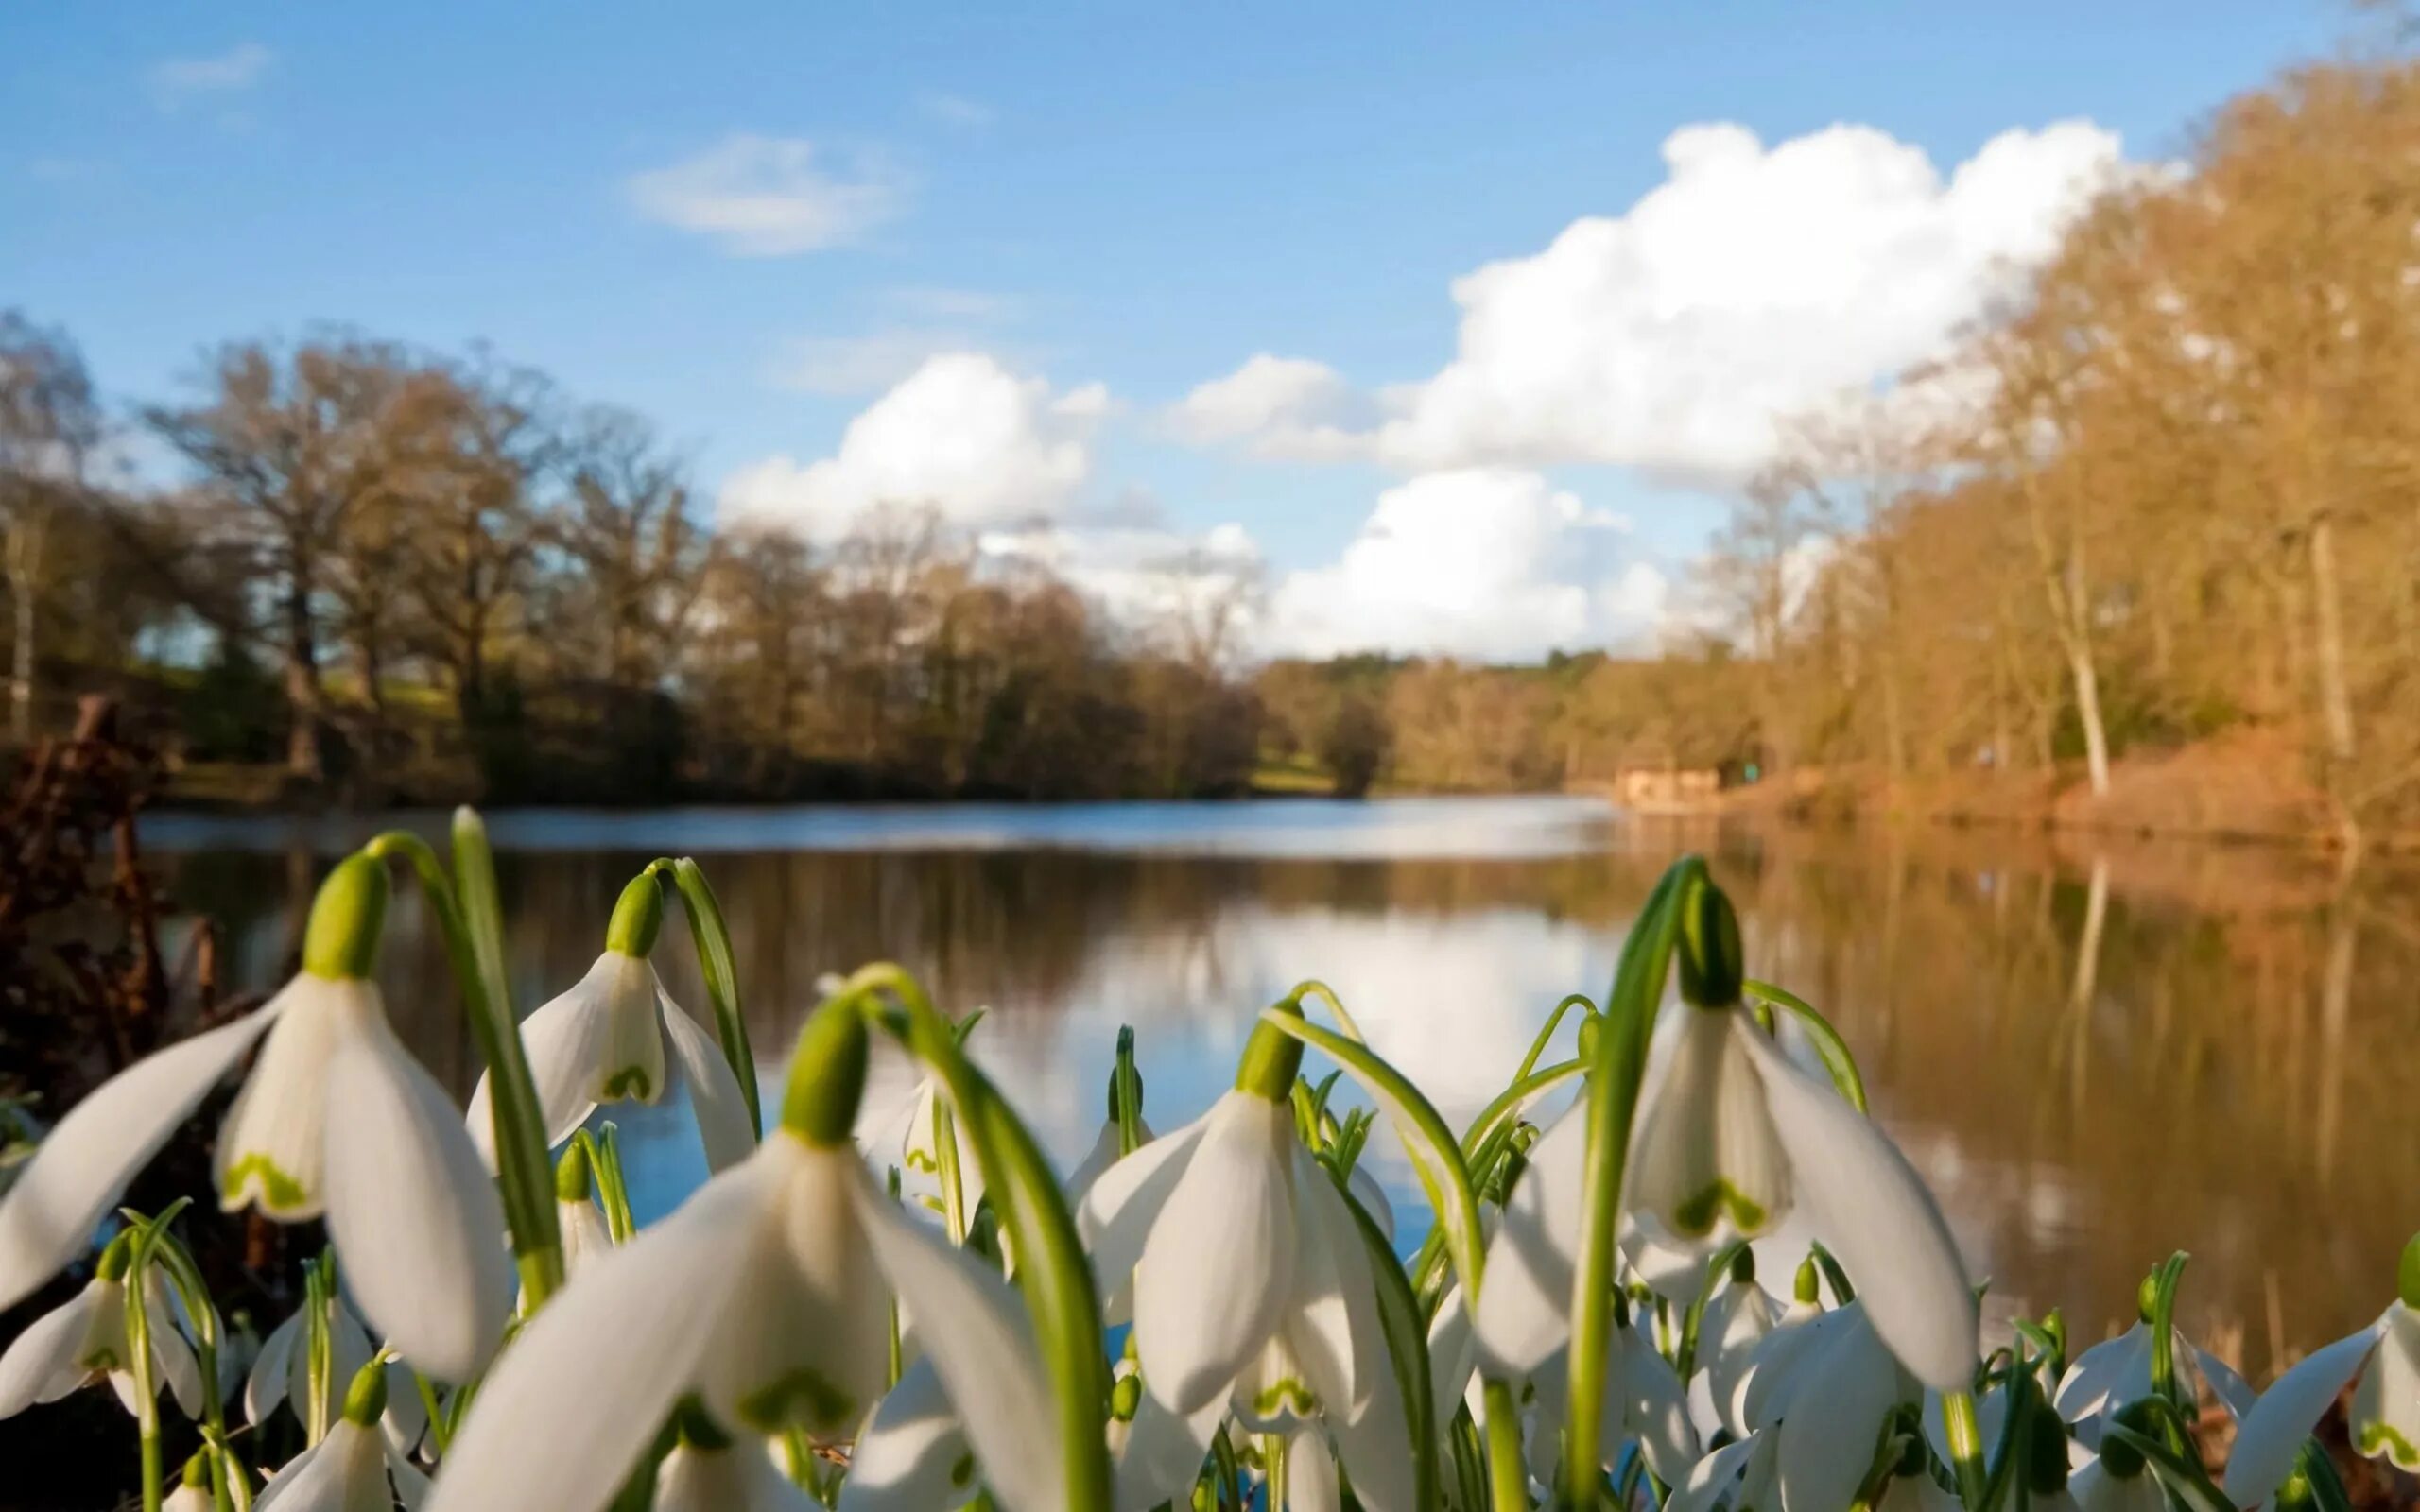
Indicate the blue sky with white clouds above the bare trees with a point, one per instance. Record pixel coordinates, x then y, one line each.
1127 197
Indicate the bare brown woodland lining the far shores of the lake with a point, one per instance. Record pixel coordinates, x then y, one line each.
2148 536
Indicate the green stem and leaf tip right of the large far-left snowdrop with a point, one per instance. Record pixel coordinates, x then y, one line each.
524 1170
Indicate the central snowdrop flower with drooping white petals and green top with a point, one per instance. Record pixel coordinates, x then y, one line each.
1250 1276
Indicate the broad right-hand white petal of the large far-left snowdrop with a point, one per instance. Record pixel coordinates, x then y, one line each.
413 1211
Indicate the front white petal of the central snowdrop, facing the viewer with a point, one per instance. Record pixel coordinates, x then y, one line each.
1218 1264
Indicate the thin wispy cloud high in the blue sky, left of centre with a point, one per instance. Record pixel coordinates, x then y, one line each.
773 197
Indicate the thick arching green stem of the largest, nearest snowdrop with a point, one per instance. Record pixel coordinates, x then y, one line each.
1051 1266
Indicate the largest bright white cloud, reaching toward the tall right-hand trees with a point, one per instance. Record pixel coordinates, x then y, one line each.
1751 284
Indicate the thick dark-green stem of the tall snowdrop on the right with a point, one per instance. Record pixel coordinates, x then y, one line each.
1613 1102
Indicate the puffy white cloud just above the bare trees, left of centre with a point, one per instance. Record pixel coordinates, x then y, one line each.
960 434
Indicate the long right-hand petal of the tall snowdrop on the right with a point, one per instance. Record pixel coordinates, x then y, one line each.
1874 1211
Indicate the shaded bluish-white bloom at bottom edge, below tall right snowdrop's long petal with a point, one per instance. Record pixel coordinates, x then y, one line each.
1826 1392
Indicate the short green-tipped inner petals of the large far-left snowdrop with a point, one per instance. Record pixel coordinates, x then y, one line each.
275 1141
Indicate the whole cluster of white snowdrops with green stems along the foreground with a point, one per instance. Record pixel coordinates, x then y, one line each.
1209 1317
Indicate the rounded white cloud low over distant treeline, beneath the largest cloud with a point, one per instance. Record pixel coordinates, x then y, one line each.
1485 562
